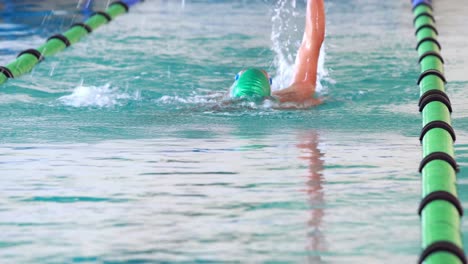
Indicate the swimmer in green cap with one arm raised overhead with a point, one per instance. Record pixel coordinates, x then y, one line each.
255 83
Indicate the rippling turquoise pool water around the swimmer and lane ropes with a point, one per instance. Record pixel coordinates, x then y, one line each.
122 149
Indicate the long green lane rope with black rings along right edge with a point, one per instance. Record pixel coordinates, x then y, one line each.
440 209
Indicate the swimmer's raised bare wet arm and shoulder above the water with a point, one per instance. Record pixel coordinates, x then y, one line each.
302 89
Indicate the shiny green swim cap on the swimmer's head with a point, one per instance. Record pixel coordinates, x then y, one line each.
251 83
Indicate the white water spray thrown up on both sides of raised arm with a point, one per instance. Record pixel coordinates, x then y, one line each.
286 35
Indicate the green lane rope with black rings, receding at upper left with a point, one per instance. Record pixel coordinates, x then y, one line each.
27 59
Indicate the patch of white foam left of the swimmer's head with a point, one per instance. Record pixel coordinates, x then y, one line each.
103 96
